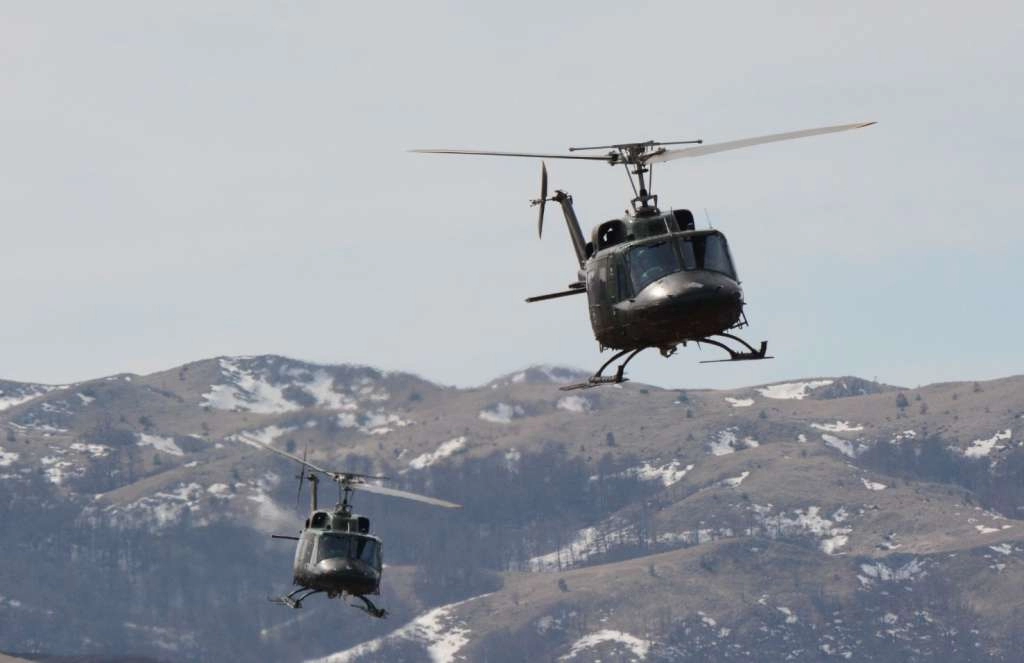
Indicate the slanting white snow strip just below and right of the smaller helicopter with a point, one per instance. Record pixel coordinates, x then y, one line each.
442 633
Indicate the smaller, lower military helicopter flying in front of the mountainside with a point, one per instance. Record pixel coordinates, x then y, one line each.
336 555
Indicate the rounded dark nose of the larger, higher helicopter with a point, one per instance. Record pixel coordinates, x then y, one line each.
701 303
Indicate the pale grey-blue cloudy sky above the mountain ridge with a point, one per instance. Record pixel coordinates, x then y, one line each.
190 180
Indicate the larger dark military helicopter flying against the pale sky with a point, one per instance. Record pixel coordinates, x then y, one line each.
652 278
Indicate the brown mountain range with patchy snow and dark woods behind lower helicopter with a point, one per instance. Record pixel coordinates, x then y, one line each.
820 519
